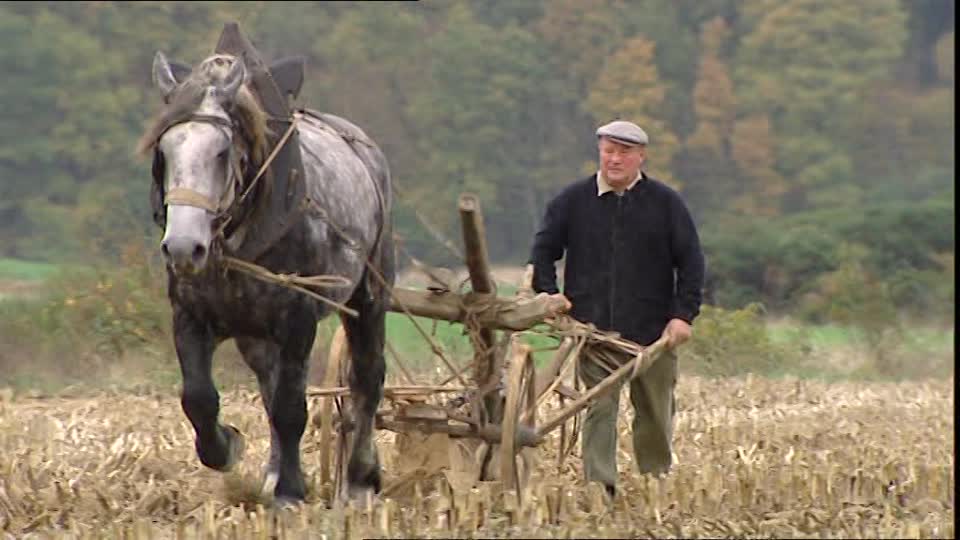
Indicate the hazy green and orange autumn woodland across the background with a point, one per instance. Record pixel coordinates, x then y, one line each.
794 122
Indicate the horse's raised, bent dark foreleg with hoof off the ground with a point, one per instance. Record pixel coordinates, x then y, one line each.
218 447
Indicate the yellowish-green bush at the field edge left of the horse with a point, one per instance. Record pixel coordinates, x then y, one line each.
88 319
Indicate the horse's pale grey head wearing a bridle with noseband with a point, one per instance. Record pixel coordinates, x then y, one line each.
203 142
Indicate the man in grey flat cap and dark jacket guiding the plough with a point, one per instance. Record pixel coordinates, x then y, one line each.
633 266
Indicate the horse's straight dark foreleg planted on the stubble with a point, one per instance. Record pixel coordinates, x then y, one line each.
288 411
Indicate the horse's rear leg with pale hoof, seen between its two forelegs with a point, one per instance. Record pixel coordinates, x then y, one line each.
263 358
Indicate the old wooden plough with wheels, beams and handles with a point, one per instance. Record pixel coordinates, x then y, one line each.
504 390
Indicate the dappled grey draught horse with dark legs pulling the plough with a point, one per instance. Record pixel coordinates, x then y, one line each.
208 143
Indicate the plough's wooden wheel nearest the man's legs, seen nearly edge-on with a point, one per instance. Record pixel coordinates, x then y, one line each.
519 410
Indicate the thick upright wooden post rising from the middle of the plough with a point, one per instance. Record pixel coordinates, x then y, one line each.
478 265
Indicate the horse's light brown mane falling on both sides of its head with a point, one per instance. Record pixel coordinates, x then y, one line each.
246 113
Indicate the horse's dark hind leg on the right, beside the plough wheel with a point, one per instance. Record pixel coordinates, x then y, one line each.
366 335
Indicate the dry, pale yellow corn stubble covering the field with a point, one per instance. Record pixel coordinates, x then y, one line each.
754 458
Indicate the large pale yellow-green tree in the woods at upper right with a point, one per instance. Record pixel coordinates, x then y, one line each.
783 71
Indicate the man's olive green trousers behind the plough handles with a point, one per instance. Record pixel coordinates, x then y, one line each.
654 406
